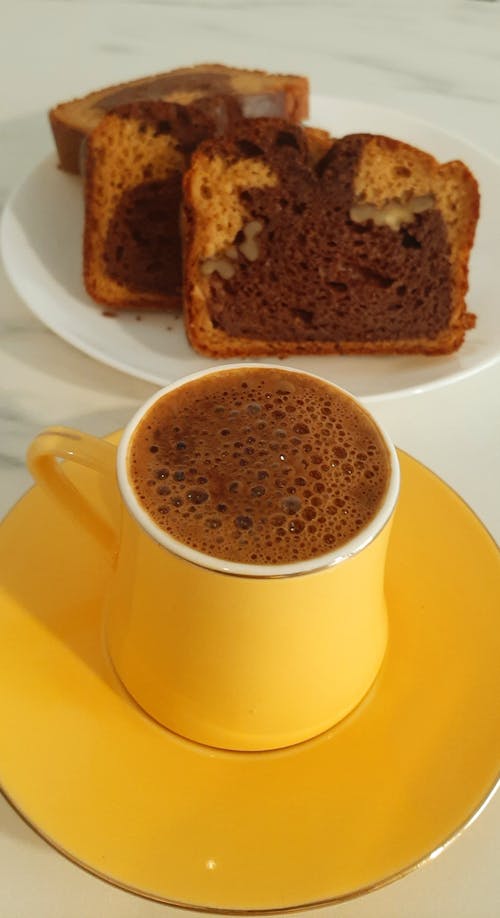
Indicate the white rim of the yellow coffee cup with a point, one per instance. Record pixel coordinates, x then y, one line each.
221 565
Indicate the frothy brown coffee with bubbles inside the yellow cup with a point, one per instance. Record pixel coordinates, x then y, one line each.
259 466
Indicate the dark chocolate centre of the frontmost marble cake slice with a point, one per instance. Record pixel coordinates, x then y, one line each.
319 275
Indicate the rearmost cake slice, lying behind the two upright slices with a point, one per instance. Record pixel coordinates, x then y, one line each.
259 94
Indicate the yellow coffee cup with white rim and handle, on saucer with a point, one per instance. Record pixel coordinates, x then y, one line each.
234 655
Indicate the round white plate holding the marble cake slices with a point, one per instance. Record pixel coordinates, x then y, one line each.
41 245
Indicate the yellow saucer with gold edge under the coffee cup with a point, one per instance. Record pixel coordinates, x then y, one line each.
312 824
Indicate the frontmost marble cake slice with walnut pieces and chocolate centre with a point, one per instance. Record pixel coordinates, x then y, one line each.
363 249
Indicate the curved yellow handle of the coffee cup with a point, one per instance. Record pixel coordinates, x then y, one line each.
58 443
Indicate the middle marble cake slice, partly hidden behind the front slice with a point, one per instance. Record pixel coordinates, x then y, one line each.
133 184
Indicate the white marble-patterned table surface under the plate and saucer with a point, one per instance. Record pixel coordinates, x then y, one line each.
438 60
